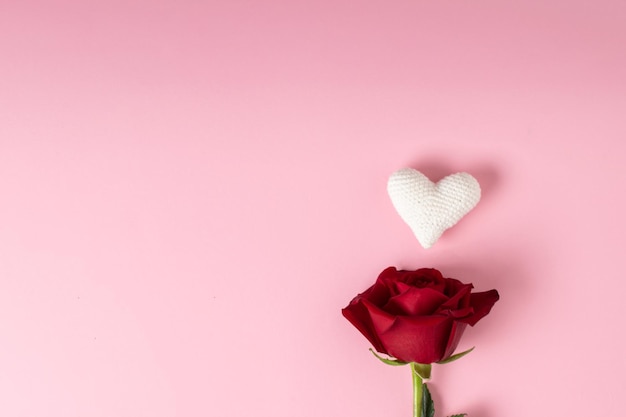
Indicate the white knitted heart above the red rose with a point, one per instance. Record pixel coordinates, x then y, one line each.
428 208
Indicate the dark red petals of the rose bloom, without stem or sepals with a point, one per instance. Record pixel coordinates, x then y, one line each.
417 316
